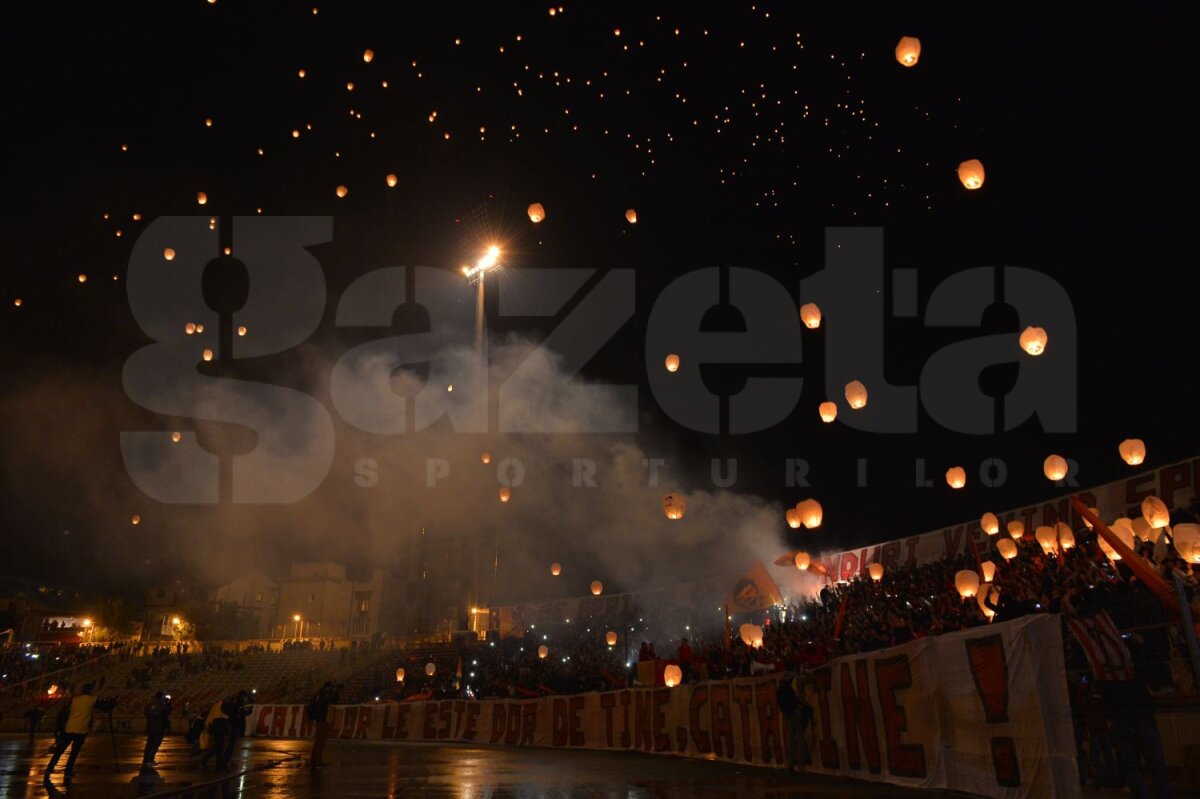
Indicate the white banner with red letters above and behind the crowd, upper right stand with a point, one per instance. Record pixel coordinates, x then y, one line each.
1175 485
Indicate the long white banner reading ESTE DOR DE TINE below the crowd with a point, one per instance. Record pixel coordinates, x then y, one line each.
983 711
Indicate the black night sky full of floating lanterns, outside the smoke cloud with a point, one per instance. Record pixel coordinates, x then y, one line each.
737 135
